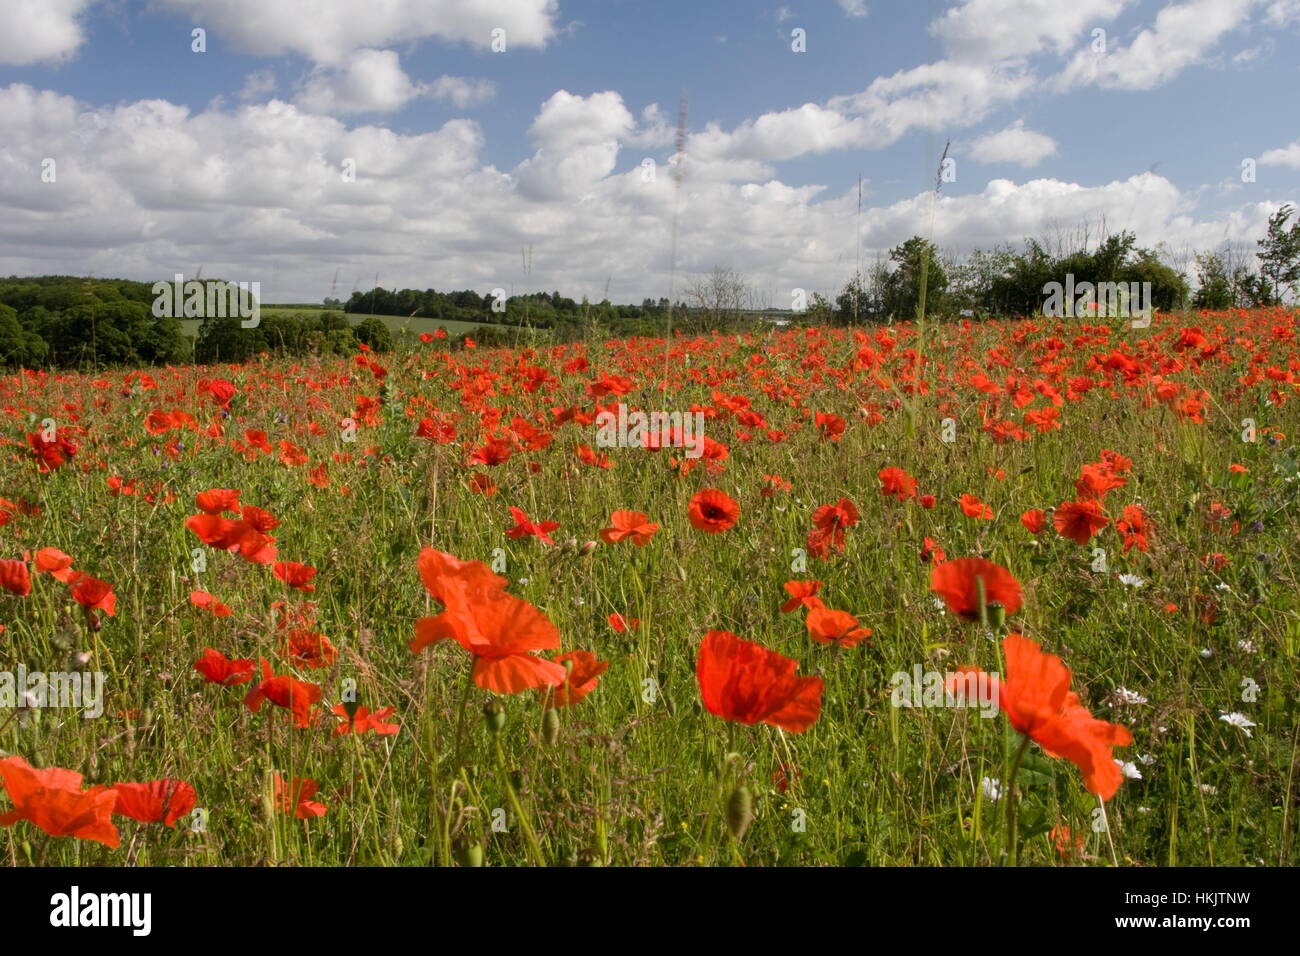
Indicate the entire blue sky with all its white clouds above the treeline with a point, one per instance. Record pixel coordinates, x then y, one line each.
168 161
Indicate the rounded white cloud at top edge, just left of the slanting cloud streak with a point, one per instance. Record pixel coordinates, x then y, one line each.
993 31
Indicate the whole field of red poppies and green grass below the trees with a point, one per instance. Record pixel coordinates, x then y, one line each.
946 595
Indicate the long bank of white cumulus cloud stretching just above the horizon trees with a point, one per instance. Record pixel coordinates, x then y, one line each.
257 193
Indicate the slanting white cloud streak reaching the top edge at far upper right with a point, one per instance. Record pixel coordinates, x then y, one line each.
1184 34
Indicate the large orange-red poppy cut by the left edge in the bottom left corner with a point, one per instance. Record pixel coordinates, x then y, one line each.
54 801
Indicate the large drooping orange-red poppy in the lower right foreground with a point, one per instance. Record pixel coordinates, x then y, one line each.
1037 699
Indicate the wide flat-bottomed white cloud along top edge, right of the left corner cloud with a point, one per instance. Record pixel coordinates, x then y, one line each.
330 33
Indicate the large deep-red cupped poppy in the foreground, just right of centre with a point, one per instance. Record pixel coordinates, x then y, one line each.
746 682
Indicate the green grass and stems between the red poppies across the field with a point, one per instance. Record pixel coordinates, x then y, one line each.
642 772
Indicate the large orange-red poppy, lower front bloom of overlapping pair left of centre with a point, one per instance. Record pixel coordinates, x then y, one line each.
499 630
